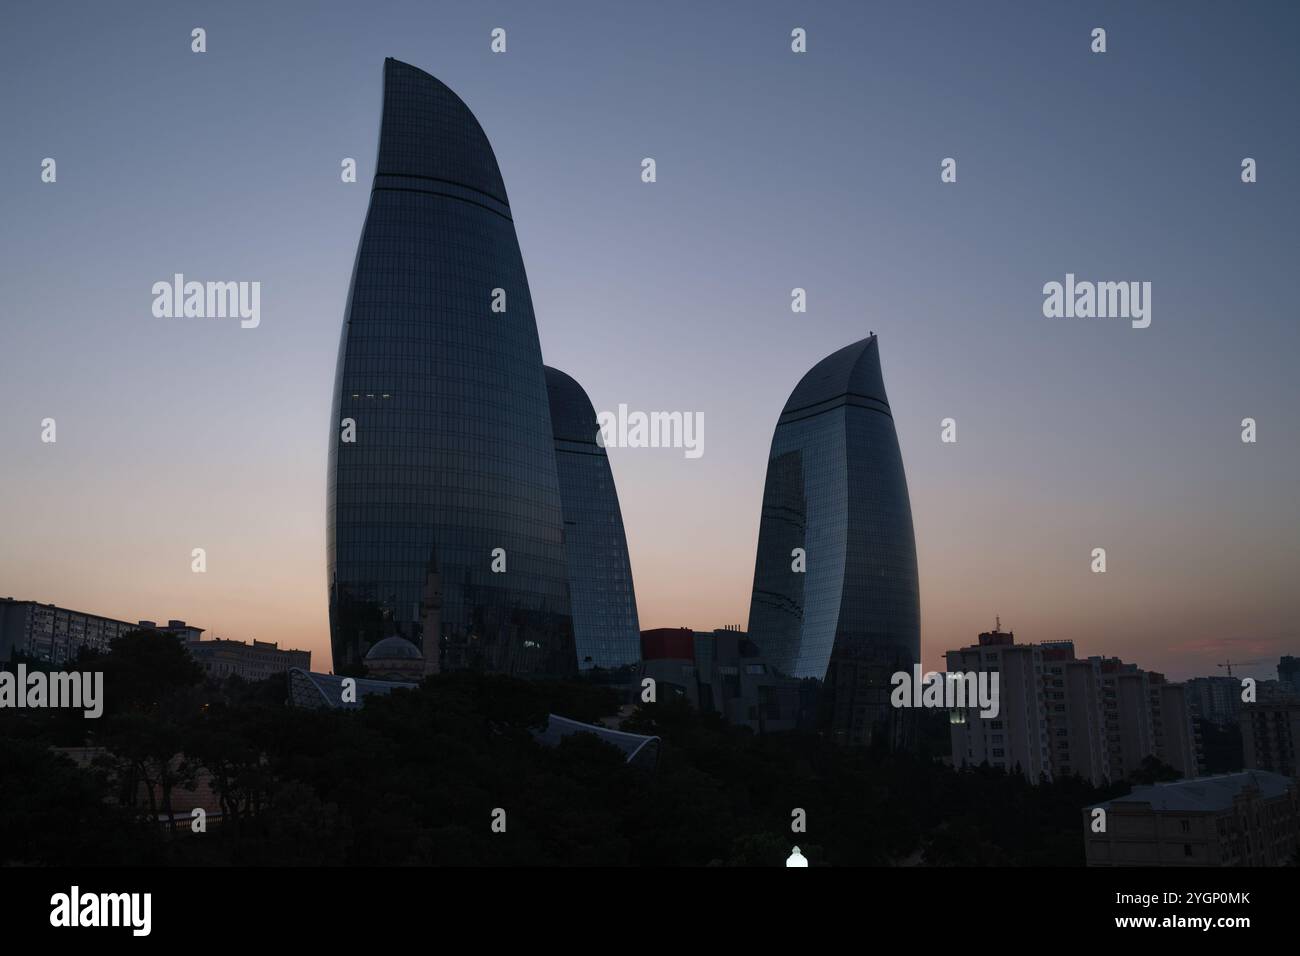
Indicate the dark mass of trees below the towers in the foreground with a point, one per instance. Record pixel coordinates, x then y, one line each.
414 778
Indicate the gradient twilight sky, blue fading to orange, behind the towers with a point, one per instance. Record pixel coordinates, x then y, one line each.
774 171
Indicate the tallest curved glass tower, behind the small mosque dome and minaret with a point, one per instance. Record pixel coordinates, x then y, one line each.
452 456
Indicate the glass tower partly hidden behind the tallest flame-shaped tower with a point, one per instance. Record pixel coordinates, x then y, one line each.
605 607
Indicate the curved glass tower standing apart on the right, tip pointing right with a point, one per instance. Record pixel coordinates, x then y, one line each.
837 488
